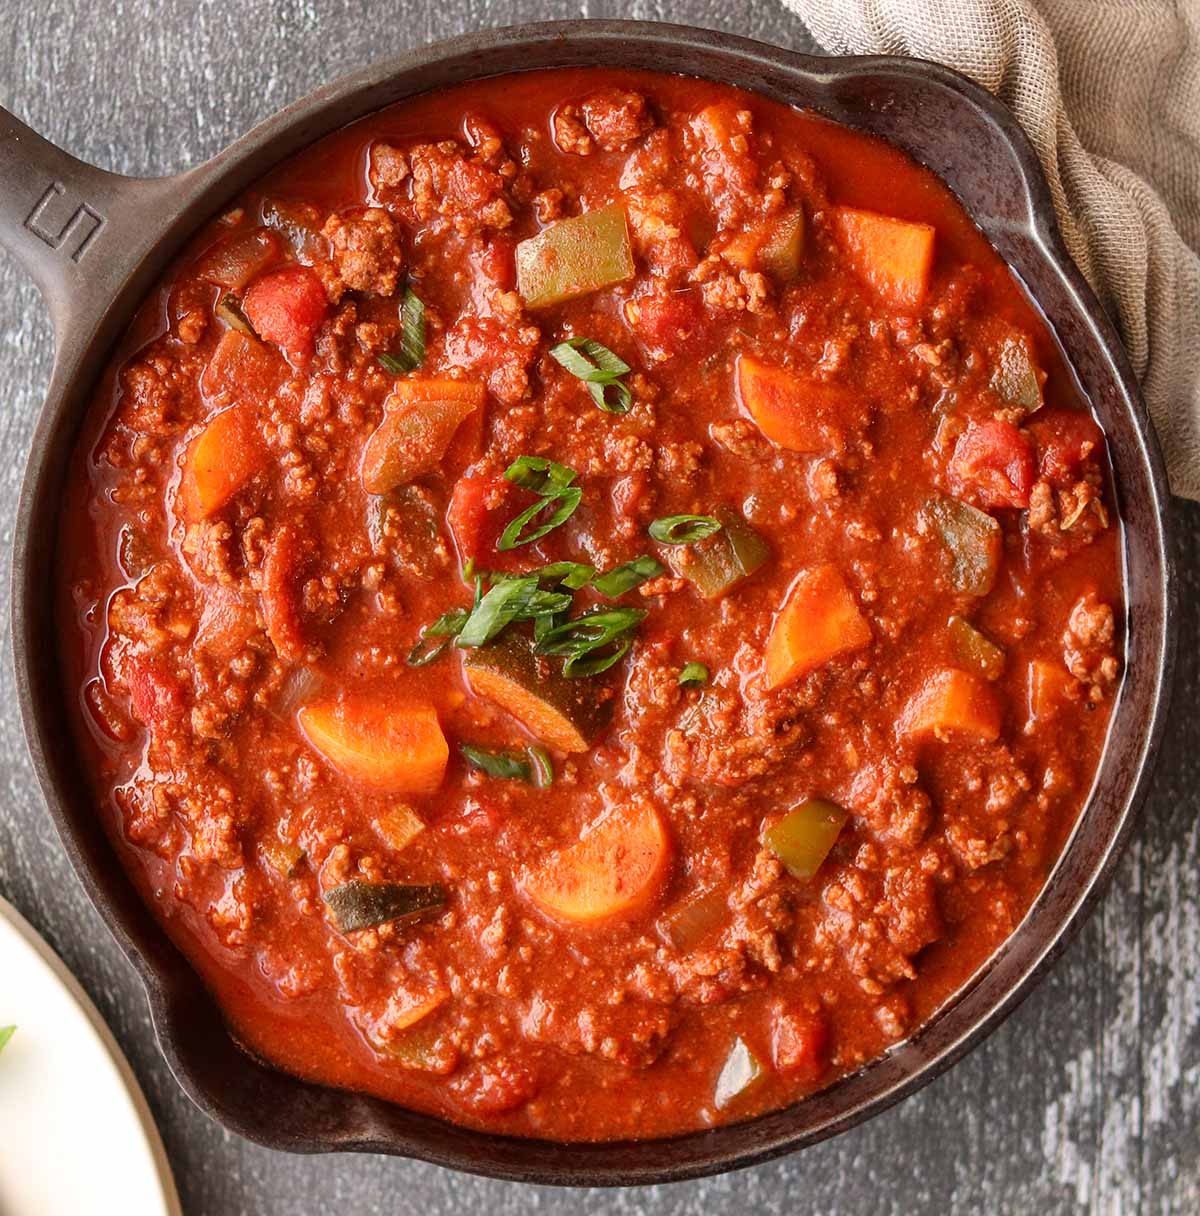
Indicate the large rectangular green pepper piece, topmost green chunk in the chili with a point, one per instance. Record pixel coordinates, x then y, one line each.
576 257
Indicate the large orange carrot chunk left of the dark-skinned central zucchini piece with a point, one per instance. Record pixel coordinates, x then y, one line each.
396 748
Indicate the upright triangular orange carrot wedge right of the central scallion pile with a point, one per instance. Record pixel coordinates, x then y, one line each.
819 621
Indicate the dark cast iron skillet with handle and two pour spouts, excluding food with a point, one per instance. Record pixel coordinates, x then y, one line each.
97 243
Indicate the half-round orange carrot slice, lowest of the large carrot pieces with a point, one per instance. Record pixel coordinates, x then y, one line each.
613 869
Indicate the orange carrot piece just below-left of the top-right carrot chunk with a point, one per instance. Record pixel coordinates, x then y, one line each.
793 412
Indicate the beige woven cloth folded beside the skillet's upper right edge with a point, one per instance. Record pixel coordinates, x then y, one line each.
1109 95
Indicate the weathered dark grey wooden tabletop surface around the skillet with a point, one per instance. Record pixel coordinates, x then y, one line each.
1086 1101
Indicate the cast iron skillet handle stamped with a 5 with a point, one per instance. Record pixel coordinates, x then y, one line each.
76 229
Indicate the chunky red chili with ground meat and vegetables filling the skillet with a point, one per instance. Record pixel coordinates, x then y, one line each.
516 871
